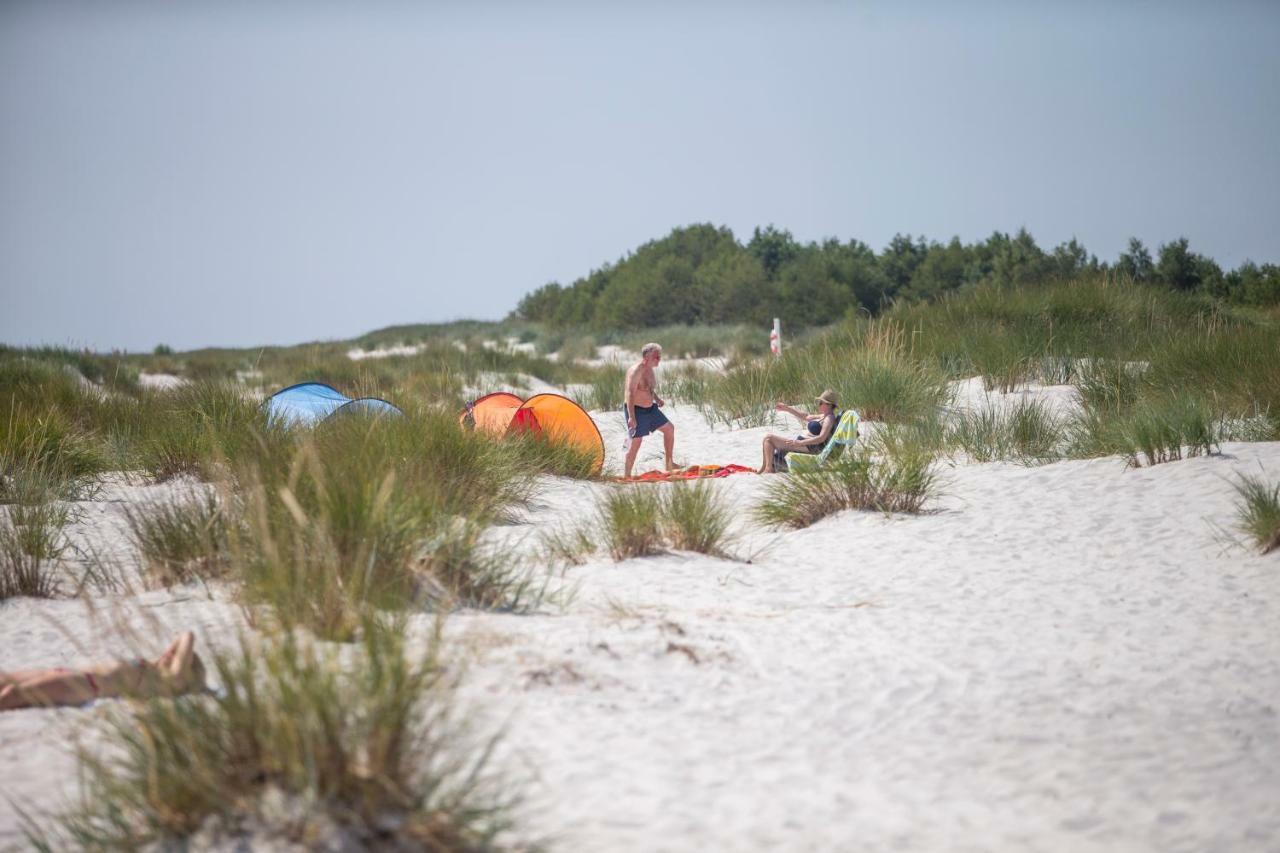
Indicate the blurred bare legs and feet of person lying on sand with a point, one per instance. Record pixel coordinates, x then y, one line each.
179 670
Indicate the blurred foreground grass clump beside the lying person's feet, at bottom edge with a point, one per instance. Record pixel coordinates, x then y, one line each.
301 746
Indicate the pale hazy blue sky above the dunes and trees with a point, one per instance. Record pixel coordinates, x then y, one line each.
227 175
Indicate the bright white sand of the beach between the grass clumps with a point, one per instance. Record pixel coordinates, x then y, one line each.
1071 658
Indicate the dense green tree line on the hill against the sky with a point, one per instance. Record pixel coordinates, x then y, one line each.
702 275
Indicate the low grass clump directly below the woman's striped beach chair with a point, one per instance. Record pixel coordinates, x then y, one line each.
857 481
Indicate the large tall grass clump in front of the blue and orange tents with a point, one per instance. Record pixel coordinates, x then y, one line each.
385 514
